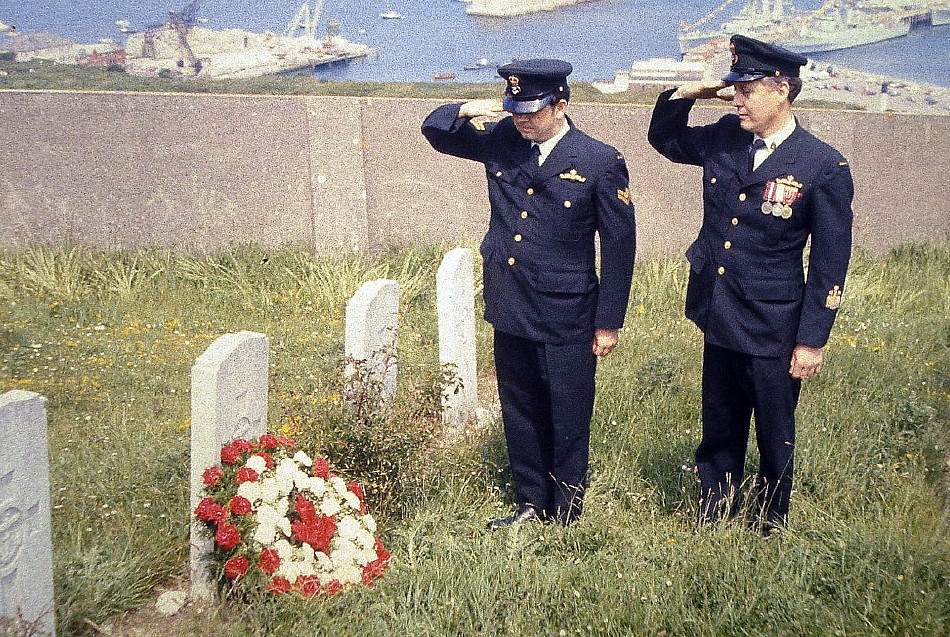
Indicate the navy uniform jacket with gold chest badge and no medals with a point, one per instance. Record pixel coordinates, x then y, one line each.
539 273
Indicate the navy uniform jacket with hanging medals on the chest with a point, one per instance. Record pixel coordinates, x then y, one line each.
747 289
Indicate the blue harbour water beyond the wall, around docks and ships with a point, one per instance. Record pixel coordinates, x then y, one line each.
438 37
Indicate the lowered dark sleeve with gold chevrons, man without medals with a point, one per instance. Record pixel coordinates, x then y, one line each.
617 231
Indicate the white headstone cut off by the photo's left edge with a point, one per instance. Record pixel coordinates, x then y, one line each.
26 547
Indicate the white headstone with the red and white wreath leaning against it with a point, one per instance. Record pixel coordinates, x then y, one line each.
228 401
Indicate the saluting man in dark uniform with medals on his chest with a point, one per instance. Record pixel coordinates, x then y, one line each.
768 185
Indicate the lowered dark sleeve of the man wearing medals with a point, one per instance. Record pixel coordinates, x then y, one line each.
830 253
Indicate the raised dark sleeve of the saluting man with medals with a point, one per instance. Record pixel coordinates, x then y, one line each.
670 135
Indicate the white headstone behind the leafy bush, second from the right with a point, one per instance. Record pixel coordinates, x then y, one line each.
372 317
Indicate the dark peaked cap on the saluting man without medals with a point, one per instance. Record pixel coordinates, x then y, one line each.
533 84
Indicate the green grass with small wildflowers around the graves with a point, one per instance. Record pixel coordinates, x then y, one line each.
109 339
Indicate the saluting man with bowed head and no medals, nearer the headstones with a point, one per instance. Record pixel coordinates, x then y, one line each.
551 188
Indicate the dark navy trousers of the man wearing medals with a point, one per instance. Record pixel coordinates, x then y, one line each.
736 386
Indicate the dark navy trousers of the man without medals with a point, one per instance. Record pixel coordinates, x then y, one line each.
547 397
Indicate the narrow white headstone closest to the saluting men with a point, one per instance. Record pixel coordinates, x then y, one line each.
455 293
